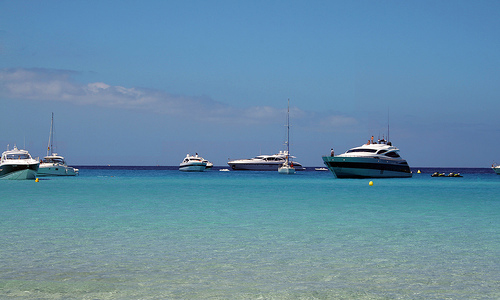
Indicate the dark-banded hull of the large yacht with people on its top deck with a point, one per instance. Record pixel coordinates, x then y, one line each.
363 167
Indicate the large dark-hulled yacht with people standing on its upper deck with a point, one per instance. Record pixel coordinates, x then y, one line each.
372 160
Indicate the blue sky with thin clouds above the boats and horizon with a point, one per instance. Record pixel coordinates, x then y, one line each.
146 82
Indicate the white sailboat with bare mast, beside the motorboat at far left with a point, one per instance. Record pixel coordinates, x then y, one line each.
53 164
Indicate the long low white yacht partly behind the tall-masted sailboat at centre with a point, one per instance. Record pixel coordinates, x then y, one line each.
264 162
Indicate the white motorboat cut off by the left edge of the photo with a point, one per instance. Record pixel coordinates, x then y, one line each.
18 164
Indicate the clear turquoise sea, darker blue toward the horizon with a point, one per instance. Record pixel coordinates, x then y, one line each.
158 233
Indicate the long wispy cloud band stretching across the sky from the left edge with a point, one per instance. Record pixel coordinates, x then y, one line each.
59 85
